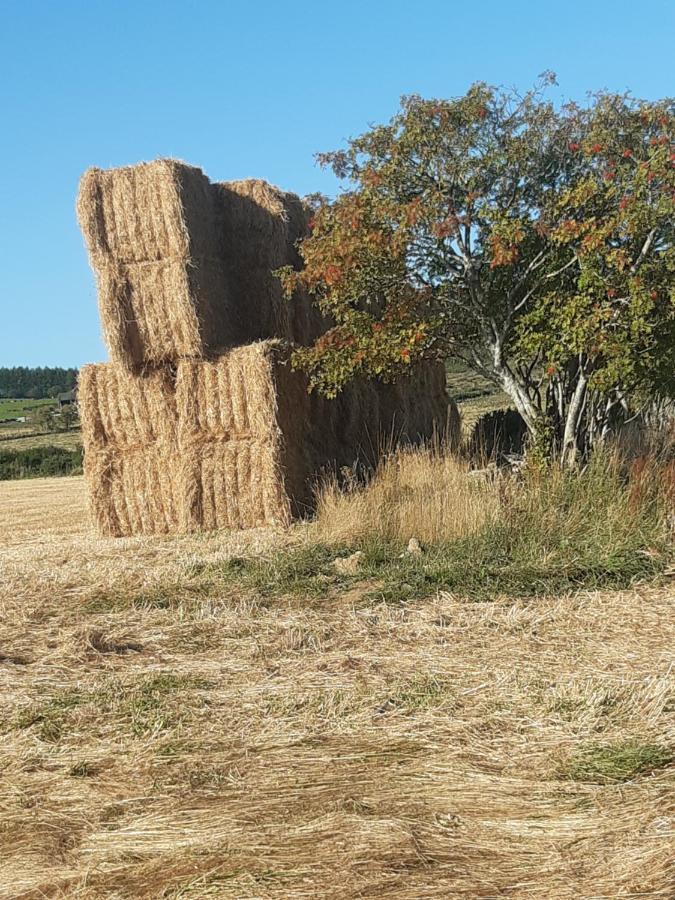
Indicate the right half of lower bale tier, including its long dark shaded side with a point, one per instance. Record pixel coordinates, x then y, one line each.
254 444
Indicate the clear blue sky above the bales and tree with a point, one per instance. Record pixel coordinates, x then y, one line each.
248 89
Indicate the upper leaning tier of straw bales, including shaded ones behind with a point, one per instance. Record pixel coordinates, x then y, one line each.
184 267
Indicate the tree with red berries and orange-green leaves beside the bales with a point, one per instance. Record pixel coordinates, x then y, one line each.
533 242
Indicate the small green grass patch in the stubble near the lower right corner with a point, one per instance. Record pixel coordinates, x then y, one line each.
614 763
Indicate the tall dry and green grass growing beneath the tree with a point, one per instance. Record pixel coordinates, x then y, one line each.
543 530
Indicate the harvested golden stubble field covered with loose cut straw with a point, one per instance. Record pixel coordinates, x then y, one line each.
170 732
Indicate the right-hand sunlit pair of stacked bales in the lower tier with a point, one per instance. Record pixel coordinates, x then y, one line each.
242 424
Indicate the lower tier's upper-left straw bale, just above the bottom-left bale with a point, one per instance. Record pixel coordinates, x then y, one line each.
121 410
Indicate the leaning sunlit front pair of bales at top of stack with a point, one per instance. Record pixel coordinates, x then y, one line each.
155 241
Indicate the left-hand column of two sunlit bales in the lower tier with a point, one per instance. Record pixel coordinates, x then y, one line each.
129 432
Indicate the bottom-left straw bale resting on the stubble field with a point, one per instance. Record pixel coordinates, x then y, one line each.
132 491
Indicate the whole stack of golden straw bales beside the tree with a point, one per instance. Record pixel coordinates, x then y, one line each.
199 422
